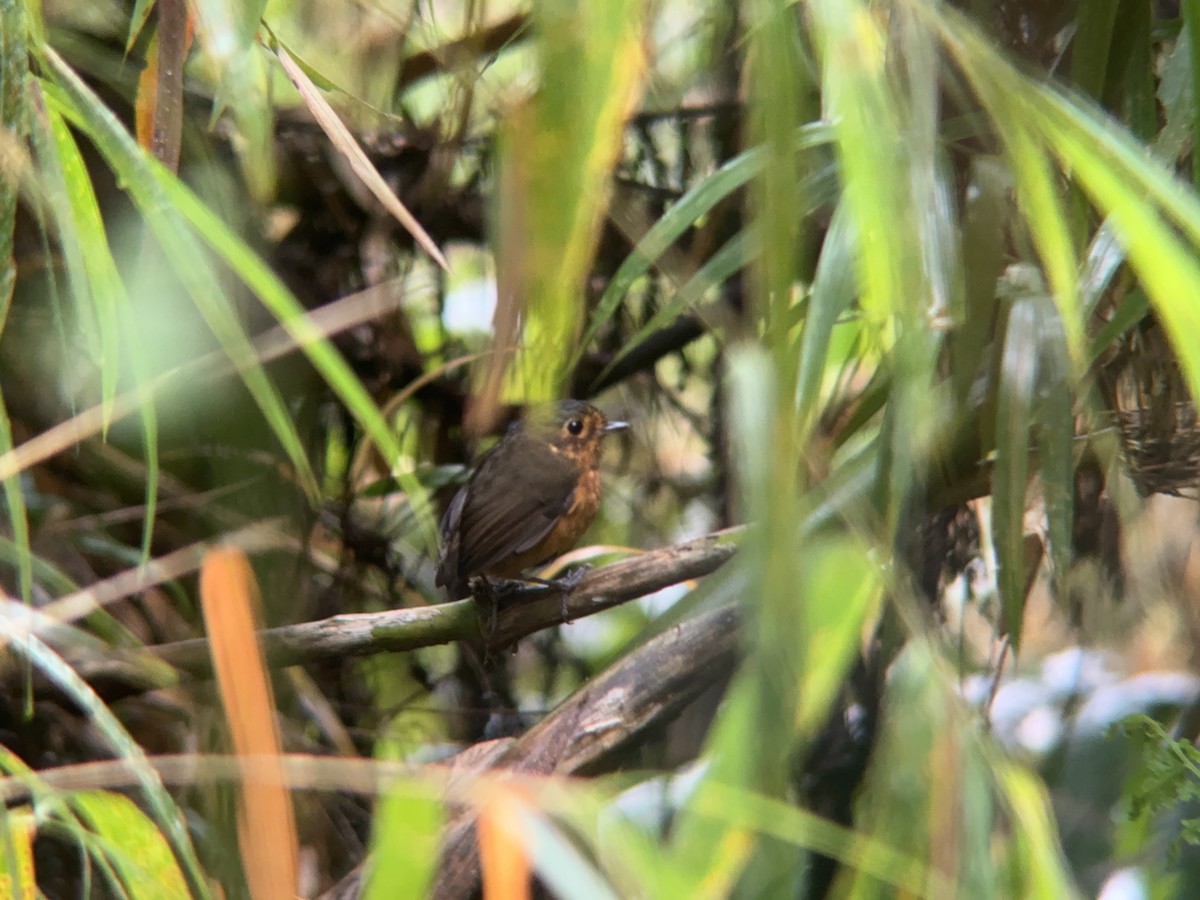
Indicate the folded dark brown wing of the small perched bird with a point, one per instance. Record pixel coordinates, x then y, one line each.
518 509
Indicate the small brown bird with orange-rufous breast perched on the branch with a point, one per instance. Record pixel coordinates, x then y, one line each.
530 500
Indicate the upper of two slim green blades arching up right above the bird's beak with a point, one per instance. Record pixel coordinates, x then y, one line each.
682 215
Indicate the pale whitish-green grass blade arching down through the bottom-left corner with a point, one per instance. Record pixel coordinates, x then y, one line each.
160 803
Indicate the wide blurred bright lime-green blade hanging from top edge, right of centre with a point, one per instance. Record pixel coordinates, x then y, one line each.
884 142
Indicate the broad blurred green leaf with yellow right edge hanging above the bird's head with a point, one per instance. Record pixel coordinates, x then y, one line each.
560 149
